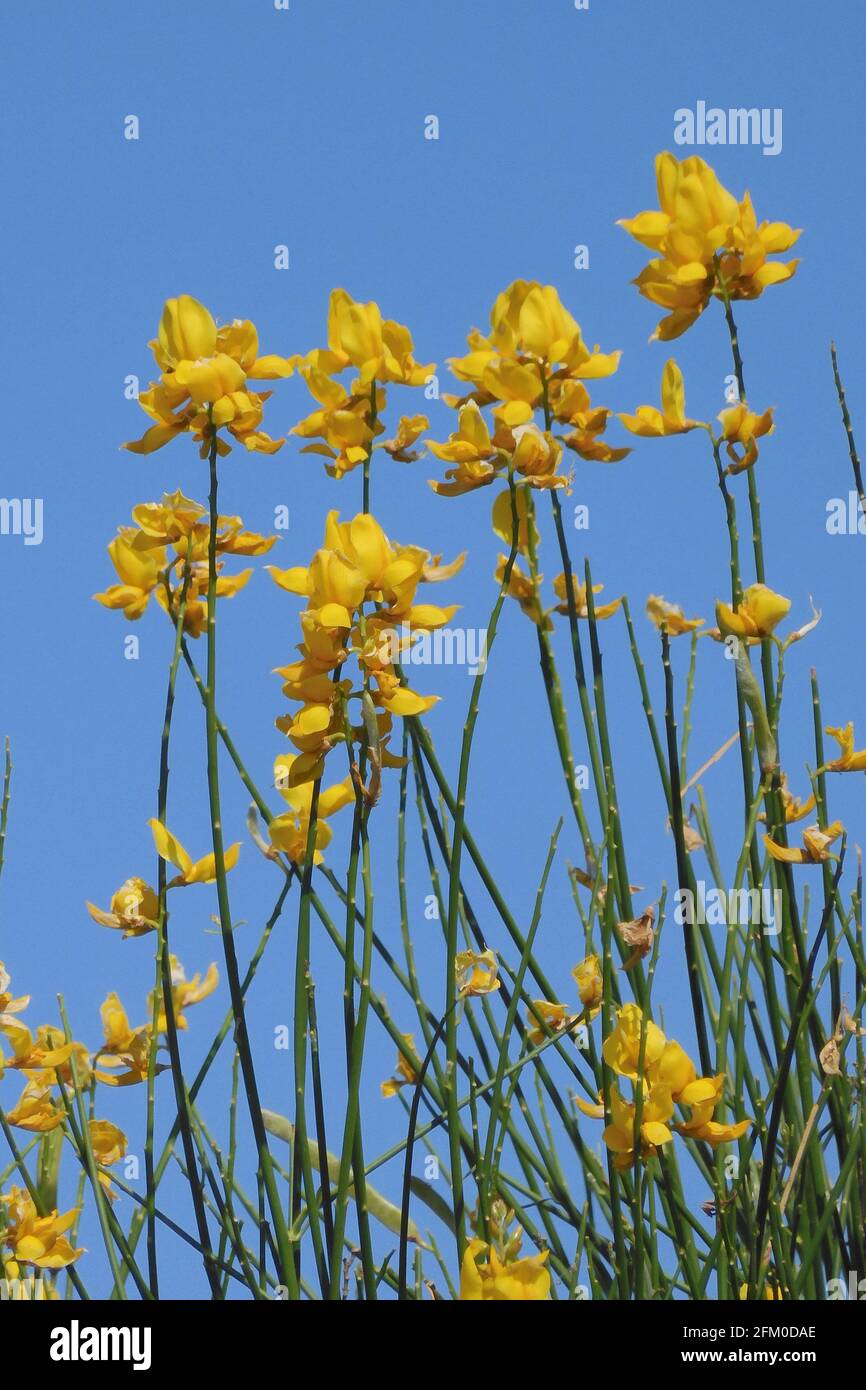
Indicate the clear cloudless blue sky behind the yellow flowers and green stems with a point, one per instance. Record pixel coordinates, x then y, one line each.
307 129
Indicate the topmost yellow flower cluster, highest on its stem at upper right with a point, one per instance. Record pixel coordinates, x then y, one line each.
707 243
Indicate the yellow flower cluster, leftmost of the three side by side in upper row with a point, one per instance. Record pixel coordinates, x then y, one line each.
202 389
